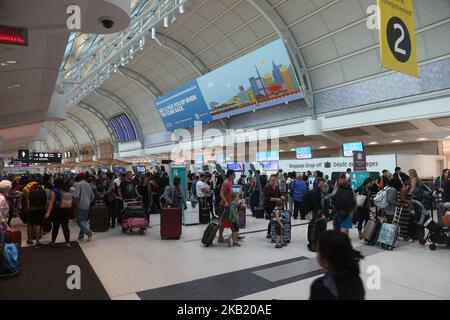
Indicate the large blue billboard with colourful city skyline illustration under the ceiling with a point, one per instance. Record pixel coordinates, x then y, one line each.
257 80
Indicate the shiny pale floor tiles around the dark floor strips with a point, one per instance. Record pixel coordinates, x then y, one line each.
128 264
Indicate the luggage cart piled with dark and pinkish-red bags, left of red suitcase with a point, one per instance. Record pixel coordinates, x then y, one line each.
134 217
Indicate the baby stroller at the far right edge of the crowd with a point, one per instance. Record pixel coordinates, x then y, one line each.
436 234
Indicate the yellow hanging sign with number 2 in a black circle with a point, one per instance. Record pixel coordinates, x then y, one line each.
397 36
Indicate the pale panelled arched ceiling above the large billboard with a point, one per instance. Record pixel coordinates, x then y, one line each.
332 38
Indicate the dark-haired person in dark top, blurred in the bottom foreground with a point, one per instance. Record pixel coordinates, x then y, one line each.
341 262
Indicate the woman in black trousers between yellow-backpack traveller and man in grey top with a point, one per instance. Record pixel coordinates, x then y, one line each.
60 216
